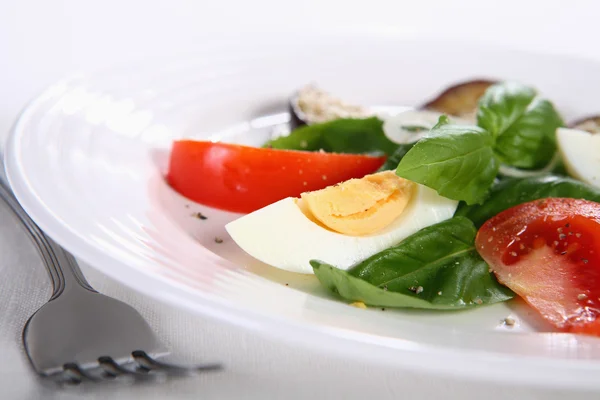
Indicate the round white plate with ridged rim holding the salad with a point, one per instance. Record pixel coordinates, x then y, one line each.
87 157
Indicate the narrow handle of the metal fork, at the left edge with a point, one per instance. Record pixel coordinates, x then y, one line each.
62 267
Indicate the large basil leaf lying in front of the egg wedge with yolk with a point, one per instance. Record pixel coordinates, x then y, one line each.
436 268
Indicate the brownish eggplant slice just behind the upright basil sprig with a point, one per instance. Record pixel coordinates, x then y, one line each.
461 99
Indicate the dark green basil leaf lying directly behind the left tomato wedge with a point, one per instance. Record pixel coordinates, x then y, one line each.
347 135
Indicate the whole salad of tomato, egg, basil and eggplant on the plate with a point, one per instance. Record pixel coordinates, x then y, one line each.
476 197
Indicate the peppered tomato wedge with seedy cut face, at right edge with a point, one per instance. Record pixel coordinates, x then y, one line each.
548 252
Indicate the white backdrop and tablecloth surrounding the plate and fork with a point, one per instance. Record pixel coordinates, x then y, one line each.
40 41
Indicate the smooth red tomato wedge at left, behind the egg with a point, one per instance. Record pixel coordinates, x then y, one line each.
243 179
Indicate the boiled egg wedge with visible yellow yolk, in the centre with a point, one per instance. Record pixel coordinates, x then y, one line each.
342 224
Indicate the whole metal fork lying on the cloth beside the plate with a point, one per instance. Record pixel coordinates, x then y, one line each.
82 335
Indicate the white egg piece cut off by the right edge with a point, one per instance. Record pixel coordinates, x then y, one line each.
580 151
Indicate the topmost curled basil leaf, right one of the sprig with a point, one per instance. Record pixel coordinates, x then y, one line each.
523 124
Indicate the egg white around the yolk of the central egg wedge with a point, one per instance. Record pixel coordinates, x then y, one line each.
281 235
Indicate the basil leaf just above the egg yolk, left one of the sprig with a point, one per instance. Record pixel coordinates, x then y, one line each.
457 161
